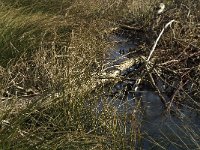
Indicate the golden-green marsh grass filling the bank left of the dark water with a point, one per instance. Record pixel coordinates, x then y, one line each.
53 51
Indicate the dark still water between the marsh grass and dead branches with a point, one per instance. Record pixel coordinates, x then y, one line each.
161 129
